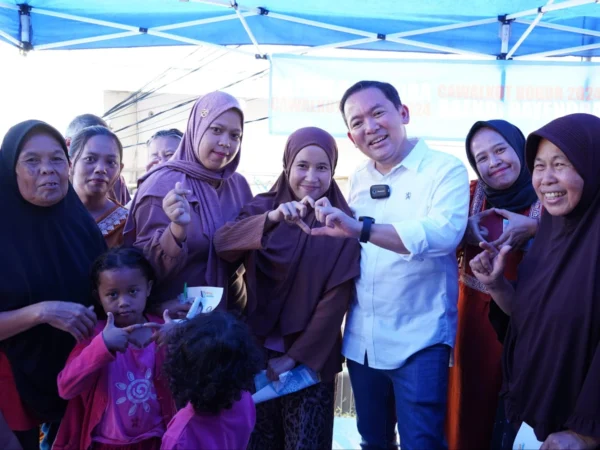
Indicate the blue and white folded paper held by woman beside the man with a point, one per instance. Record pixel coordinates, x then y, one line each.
294 380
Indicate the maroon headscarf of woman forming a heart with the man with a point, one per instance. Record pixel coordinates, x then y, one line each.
286 280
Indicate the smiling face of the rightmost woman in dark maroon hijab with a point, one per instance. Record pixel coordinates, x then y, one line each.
556 182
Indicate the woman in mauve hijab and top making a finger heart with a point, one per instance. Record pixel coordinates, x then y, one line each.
181 204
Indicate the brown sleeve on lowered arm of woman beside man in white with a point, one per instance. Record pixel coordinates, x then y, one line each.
319 345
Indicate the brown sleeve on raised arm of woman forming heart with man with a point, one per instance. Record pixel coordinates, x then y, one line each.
234 239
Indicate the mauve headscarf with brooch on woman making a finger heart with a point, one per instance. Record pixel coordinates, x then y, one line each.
185 167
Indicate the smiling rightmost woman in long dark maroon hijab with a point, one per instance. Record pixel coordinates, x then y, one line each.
551 359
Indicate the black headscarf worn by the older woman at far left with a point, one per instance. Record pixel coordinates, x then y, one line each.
47 253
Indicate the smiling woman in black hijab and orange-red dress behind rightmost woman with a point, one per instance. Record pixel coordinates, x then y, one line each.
502 192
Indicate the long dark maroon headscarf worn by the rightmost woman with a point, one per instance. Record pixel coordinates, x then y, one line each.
552 351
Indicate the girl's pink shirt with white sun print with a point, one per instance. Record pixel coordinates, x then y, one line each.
133 413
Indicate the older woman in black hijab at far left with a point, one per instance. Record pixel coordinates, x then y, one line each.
48 242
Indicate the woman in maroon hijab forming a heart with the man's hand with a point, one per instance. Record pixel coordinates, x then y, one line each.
299 287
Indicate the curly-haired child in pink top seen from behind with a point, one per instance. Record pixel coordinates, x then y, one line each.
211 363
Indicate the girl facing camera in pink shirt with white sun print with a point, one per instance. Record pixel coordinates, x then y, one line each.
117 397
